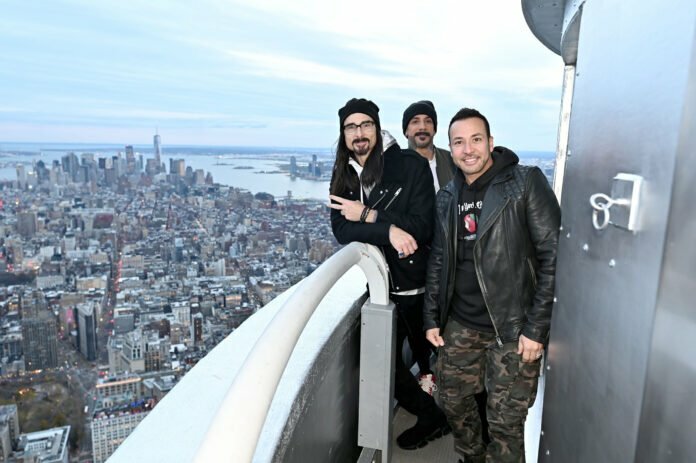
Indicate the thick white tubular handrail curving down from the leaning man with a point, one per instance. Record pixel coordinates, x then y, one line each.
234 431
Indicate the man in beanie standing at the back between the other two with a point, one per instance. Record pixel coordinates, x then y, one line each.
419 124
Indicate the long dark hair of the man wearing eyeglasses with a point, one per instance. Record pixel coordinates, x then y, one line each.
344 178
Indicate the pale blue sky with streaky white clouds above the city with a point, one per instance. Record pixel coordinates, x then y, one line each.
267 72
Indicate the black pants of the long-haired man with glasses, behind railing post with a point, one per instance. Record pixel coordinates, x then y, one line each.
409 319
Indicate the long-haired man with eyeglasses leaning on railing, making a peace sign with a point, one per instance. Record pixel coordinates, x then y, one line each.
384 196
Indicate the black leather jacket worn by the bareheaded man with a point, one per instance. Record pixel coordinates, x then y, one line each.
514 254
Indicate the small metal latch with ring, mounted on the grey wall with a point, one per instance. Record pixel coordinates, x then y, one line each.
625 200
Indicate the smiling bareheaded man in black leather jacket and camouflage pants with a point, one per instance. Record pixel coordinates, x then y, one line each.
489 288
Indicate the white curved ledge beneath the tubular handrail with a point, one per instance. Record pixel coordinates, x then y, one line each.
176 428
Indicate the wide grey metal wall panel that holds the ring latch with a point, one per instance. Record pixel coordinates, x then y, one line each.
632 75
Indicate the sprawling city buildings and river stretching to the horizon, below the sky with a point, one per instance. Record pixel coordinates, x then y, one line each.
118 273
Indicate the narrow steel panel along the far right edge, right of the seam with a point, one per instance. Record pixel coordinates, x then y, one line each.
668 419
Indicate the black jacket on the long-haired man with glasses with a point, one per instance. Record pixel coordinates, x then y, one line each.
404 197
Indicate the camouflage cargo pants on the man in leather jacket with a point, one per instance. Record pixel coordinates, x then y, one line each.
469 361
